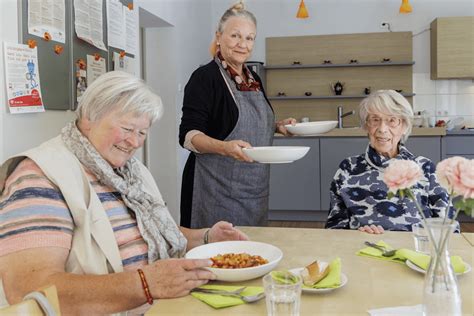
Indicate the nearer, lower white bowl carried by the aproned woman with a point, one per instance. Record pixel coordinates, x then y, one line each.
276 154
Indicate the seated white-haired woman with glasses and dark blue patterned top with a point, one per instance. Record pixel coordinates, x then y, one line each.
359 195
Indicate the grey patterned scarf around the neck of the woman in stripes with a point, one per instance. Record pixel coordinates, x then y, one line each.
155 223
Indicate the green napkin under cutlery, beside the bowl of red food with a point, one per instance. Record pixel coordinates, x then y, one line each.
221 301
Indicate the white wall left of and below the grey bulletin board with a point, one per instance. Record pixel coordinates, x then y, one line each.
22 131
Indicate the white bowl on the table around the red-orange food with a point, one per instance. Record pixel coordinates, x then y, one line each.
266 251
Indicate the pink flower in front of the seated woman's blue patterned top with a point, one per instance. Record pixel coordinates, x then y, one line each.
401 174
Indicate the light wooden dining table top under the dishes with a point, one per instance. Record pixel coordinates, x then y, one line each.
372 283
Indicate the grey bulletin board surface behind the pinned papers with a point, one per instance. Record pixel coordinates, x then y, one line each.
58 71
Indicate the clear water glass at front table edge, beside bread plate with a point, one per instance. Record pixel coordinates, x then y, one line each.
282 297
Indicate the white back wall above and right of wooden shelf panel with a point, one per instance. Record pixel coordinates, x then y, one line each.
277 18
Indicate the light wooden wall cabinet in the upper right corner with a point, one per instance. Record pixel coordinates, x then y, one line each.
452 49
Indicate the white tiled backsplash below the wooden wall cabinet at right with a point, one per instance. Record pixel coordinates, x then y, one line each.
444 99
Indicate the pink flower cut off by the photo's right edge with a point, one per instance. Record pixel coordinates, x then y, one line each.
456 175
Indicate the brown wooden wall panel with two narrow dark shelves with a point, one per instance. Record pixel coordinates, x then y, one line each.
300 65
